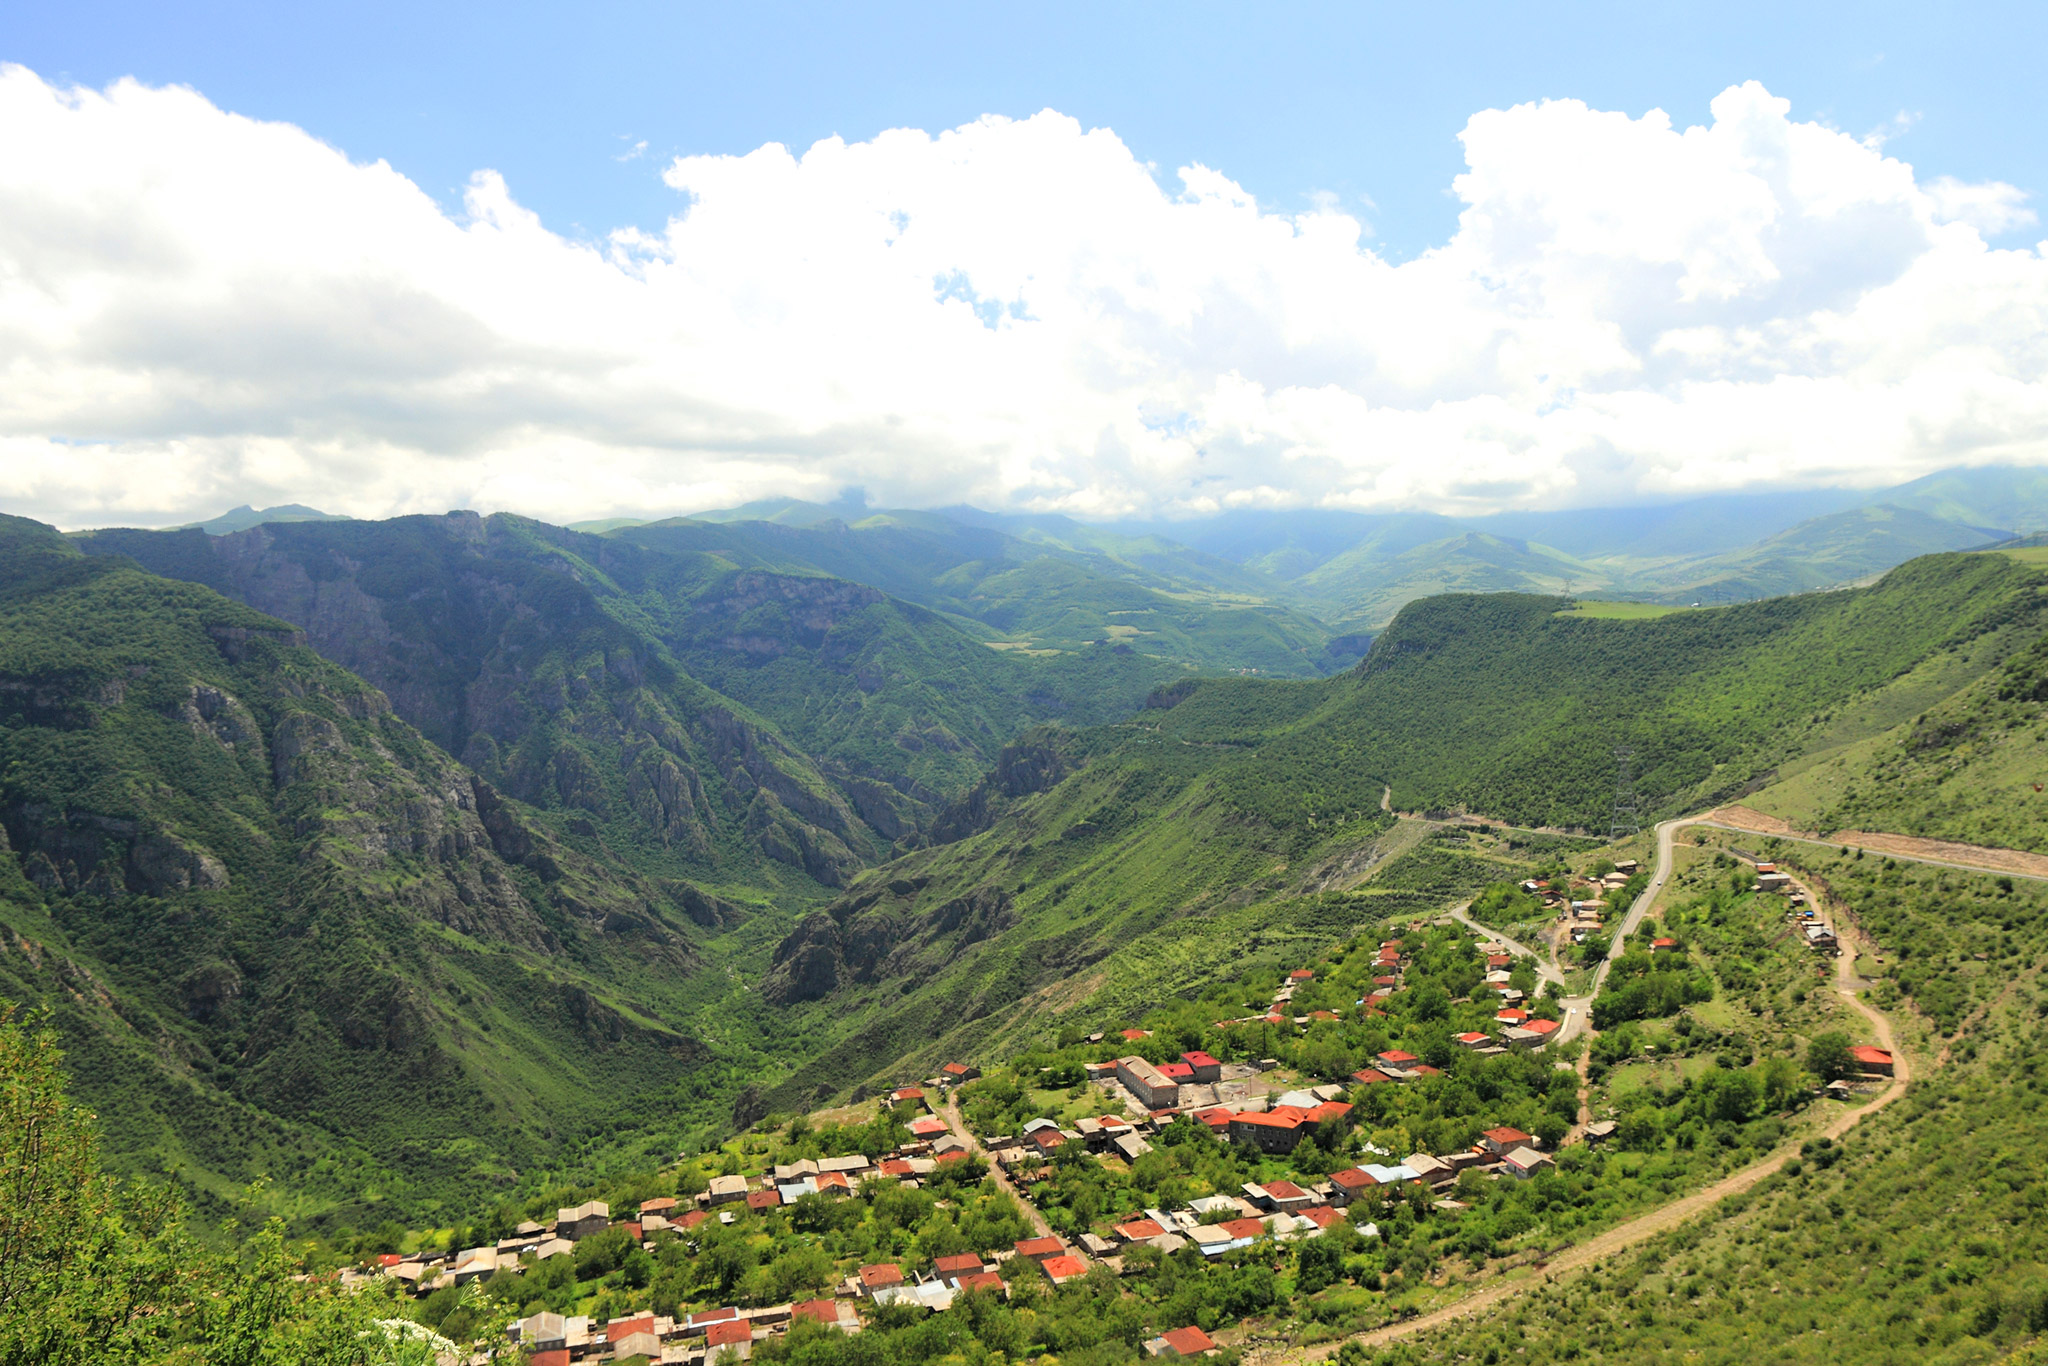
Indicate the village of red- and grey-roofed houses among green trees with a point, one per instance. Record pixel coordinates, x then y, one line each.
1136 1093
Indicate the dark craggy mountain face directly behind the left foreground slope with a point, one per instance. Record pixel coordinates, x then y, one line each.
515 652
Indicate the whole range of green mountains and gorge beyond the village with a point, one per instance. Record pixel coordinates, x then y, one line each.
400 861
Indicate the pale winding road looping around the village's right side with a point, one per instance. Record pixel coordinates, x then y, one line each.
1666 1218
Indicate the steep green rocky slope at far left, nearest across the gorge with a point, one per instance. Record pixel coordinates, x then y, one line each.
290 937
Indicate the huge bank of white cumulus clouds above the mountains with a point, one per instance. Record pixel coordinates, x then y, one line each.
200 308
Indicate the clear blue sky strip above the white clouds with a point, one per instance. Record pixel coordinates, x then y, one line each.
1359 101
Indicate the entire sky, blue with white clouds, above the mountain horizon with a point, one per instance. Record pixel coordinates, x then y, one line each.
636 261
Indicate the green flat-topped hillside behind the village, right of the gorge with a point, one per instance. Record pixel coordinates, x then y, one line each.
1117 867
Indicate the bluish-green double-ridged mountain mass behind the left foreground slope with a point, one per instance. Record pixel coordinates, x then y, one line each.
714 716
